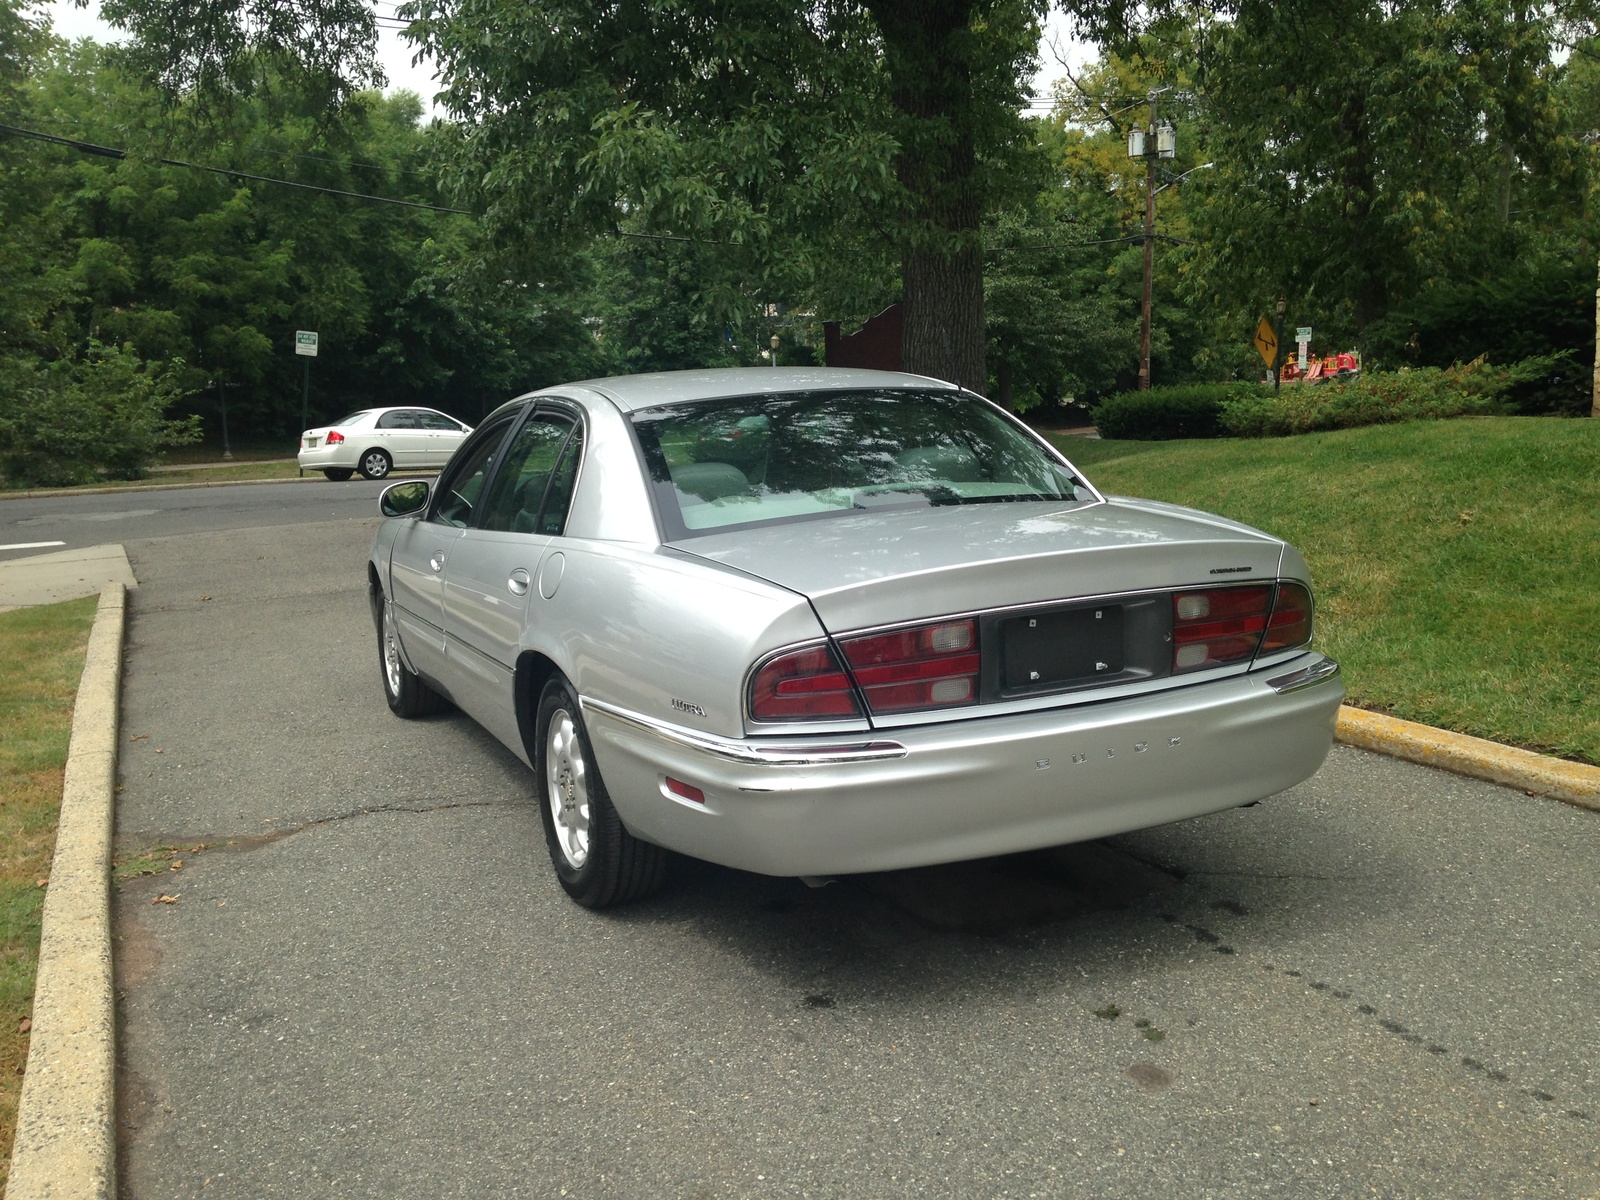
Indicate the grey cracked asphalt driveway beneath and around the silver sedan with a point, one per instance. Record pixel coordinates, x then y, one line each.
369 985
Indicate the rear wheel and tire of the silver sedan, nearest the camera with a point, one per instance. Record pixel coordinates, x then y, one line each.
598 862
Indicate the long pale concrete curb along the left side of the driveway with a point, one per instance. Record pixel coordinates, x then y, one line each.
66 1130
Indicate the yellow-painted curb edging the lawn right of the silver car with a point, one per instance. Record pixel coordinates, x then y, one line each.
1575 783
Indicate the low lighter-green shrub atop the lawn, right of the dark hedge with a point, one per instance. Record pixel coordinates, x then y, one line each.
1425 394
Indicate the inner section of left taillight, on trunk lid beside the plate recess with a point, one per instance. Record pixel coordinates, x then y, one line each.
913 670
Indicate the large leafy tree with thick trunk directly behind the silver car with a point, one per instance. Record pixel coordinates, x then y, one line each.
764 126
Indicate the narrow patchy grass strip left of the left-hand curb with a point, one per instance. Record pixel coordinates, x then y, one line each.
42 650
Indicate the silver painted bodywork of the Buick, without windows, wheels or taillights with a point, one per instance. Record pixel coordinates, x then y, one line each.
660 639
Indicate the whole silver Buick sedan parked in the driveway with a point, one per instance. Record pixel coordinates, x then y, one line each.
823 622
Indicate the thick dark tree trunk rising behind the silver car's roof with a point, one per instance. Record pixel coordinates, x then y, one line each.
927 46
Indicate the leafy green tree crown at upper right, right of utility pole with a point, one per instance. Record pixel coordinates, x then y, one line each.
1366 150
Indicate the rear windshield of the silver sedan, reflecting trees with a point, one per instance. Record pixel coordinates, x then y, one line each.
796 457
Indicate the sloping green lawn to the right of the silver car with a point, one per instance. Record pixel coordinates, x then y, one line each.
1457 562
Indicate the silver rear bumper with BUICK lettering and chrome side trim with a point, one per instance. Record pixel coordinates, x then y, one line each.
974 788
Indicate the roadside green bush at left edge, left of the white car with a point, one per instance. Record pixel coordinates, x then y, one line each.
73 422
